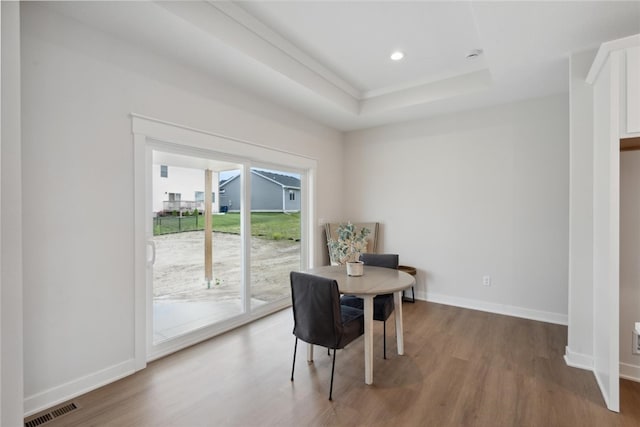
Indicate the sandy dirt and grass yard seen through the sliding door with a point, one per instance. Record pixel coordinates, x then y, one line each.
275 251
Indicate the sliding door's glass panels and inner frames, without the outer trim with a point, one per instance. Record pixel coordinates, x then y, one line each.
225 235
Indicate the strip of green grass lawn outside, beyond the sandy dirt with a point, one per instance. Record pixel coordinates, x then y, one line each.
272 226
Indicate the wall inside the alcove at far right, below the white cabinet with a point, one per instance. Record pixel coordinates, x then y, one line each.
629 260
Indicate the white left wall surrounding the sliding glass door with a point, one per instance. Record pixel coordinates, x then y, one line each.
79 86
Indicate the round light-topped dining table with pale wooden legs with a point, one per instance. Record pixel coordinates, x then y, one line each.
374 281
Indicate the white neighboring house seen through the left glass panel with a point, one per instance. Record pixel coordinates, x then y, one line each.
181 189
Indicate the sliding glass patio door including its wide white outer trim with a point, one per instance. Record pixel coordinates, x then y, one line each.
219 224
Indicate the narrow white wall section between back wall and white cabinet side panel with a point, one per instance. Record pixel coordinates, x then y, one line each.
579 352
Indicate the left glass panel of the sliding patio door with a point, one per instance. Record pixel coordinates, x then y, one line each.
196 278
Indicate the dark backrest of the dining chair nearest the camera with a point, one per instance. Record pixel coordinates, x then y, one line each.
316 309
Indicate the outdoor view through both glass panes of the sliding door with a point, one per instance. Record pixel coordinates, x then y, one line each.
187 297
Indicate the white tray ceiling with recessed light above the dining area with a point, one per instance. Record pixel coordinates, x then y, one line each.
330 59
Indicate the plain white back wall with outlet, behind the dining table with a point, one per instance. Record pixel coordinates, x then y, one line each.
478 193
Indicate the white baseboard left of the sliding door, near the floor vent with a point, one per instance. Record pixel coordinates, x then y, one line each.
59 394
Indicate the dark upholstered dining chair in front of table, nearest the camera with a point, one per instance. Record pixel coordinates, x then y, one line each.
319 318
